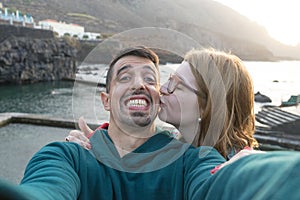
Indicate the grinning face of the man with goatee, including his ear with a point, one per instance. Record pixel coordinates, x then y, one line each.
133 99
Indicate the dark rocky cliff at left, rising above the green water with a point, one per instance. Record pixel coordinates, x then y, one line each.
29 58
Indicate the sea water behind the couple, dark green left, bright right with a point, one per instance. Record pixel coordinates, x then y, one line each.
277 80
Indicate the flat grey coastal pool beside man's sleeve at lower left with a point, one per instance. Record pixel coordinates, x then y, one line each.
18 143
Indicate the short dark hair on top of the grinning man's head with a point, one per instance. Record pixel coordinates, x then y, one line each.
139 51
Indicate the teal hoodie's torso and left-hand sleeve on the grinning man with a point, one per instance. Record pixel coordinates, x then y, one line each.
161 168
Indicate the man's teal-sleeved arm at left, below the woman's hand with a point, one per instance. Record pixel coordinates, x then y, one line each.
52 172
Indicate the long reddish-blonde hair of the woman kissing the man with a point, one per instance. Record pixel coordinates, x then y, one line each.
227 100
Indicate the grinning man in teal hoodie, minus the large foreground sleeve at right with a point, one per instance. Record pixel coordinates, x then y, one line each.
133 159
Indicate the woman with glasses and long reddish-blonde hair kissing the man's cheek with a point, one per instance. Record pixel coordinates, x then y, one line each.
209 99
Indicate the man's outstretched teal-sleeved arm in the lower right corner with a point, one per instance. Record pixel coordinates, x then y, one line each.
271 175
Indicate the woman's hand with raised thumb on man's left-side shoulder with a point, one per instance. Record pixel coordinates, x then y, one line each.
81 136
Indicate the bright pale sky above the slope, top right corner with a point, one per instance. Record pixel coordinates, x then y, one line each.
281 18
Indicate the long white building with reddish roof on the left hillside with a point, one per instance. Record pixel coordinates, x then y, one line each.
61 28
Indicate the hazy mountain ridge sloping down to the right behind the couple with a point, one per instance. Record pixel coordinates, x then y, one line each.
208 22
